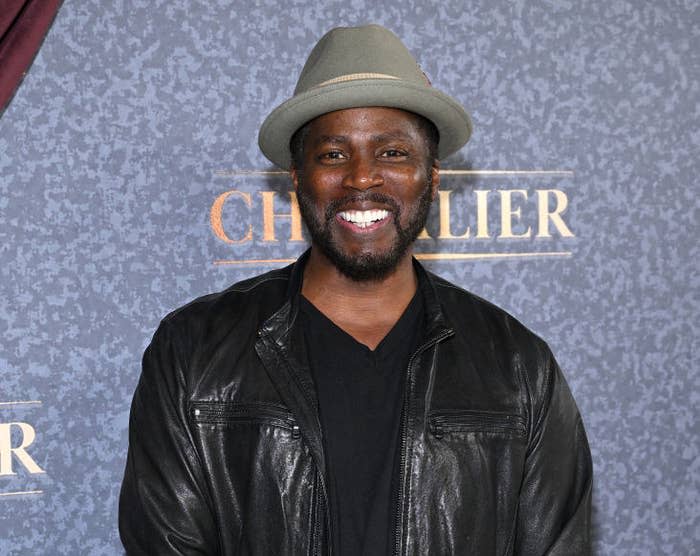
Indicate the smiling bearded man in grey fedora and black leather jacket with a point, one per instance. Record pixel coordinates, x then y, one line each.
354 403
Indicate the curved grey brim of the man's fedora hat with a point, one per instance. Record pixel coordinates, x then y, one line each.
451 120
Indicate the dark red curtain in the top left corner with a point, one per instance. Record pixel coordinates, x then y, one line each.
23 26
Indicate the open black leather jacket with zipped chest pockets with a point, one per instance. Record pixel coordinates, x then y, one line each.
225 449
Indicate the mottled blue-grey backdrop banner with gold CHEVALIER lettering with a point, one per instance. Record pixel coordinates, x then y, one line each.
131 183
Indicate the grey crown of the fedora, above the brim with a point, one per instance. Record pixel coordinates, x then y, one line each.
370 51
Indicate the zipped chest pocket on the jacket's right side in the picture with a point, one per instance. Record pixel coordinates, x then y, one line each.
448 421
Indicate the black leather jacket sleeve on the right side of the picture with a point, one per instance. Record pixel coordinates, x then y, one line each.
554 514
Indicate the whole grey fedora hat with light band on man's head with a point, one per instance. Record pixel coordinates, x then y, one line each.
353 67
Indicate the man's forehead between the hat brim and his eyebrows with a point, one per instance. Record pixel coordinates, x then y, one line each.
377 121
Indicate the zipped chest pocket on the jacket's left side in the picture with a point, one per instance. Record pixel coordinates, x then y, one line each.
226 413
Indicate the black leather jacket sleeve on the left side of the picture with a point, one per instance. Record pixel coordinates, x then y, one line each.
164 506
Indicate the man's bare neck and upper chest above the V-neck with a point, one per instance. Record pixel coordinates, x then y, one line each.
365 310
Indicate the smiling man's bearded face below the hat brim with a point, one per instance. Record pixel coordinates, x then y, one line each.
365 188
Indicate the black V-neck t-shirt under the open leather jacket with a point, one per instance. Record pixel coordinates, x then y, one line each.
360 395
